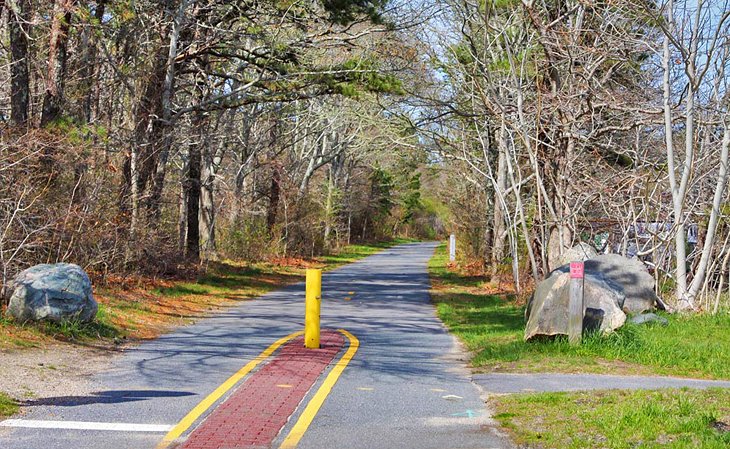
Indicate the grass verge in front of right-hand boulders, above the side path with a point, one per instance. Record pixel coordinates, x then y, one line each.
492 328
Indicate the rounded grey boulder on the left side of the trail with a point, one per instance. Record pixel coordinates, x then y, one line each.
54 292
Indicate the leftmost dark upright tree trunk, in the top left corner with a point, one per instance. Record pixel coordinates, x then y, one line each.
19 24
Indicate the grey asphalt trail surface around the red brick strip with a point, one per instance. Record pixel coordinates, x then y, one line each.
405 387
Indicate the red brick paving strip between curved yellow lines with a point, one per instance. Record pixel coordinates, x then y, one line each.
255 413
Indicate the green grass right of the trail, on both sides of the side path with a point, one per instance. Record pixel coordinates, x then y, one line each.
490 322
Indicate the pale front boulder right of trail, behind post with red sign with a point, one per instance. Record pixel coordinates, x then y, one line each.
547 311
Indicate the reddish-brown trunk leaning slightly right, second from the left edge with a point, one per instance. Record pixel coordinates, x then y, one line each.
57 59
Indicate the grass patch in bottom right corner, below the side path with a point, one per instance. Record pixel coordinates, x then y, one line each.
618 419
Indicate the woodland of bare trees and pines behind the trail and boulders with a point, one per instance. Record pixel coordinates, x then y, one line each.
148 137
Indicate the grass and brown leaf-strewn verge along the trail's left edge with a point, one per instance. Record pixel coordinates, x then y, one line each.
136 308
